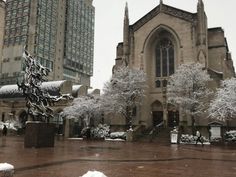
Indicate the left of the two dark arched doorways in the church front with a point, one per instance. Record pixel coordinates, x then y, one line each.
157 113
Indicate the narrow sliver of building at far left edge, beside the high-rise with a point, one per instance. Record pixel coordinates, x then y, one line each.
2 23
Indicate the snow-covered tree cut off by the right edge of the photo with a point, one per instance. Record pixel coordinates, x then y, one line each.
223 106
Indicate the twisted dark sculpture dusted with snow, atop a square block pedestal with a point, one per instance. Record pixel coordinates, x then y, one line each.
38 101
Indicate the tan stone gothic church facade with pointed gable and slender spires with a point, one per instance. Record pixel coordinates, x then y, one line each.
158 43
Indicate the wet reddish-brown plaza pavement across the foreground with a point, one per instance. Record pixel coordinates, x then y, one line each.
73 158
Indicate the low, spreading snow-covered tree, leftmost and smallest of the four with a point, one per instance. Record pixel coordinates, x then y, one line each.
86 108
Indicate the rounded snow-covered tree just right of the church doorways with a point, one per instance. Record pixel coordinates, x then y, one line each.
187 89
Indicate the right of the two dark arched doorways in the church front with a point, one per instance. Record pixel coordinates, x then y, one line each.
173 116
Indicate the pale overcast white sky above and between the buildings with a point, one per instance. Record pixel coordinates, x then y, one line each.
109 27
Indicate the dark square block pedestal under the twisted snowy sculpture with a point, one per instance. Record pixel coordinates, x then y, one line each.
39 134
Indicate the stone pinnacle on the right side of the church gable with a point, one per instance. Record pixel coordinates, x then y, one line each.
201 38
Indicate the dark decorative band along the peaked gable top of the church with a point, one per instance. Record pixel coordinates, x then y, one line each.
188 16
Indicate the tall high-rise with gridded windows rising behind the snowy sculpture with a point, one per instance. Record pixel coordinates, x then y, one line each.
59 33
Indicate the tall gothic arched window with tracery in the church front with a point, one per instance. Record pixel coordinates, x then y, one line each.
164 58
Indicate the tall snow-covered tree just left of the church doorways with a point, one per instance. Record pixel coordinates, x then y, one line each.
124 92
